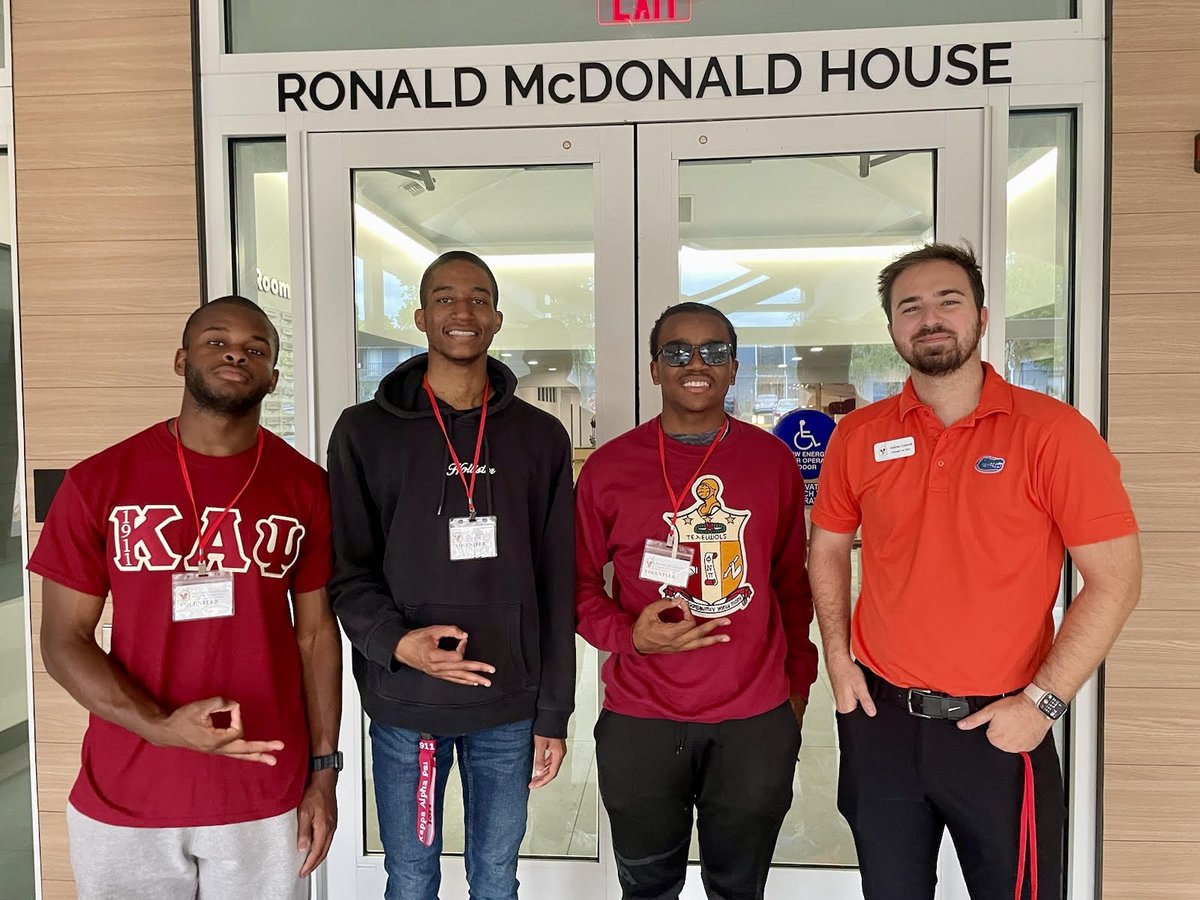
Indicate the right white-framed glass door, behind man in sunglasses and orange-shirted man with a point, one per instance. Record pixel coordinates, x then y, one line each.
784 226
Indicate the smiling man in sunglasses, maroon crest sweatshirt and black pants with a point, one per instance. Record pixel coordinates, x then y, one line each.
707 627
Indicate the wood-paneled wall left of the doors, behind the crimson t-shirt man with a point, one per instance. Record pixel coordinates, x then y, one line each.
105 155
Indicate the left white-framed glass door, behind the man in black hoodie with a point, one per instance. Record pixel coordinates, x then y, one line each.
551 212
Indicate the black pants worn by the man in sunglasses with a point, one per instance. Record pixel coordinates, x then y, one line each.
737 776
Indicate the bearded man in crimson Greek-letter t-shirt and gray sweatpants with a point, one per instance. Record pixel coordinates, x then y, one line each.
209 763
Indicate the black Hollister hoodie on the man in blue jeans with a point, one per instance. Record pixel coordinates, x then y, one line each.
394 490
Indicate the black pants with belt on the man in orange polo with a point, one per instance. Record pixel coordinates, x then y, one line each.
905 779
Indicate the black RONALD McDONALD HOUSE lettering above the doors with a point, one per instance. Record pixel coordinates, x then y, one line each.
688 79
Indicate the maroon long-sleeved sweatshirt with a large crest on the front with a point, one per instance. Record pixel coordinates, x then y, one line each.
745 519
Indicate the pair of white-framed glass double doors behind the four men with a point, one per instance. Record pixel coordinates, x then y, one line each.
781 224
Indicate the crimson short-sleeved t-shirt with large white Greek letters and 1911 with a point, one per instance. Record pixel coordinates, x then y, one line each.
122 524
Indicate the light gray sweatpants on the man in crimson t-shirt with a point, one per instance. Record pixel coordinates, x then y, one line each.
248 861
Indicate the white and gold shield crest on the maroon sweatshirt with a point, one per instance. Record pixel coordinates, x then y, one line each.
718 583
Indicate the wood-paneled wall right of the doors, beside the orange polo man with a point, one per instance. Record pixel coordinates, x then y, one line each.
1153 710
